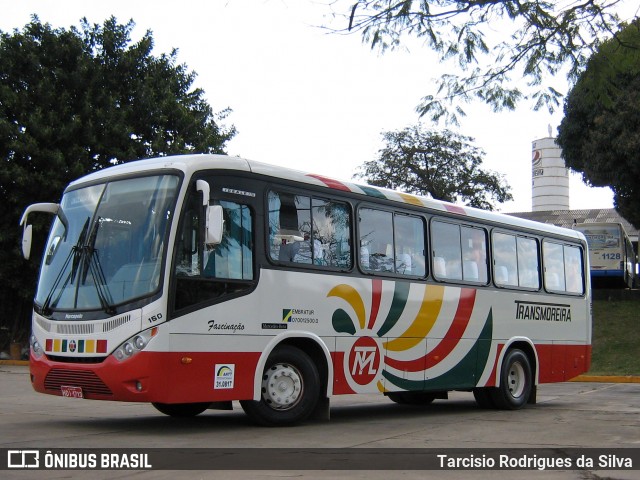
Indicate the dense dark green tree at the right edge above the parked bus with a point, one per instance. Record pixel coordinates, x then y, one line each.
600 132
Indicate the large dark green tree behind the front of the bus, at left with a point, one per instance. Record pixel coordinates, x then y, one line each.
77 100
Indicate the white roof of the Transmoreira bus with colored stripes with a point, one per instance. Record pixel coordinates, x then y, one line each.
193 163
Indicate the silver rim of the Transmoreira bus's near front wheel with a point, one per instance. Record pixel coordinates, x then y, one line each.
282 386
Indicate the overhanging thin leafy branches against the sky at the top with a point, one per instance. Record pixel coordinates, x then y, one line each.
495 43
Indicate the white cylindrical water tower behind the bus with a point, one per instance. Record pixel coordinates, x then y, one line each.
550 189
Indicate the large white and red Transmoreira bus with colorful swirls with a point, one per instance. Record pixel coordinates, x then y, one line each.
191 282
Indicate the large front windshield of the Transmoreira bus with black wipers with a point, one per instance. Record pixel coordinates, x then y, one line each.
112 252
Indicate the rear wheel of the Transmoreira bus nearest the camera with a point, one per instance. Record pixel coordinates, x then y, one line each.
516 381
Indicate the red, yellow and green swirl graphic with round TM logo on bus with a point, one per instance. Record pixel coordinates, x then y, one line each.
417 339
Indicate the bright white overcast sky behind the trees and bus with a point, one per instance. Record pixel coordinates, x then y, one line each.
304 98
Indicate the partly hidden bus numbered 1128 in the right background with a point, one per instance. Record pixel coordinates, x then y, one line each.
612 258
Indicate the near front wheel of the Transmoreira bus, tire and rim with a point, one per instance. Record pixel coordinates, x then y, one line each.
290 389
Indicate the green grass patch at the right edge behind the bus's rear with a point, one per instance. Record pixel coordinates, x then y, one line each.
616 337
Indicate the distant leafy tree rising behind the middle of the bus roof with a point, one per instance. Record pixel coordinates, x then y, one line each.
443 165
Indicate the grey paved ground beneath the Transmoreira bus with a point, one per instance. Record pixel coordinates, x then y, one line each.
568 415
